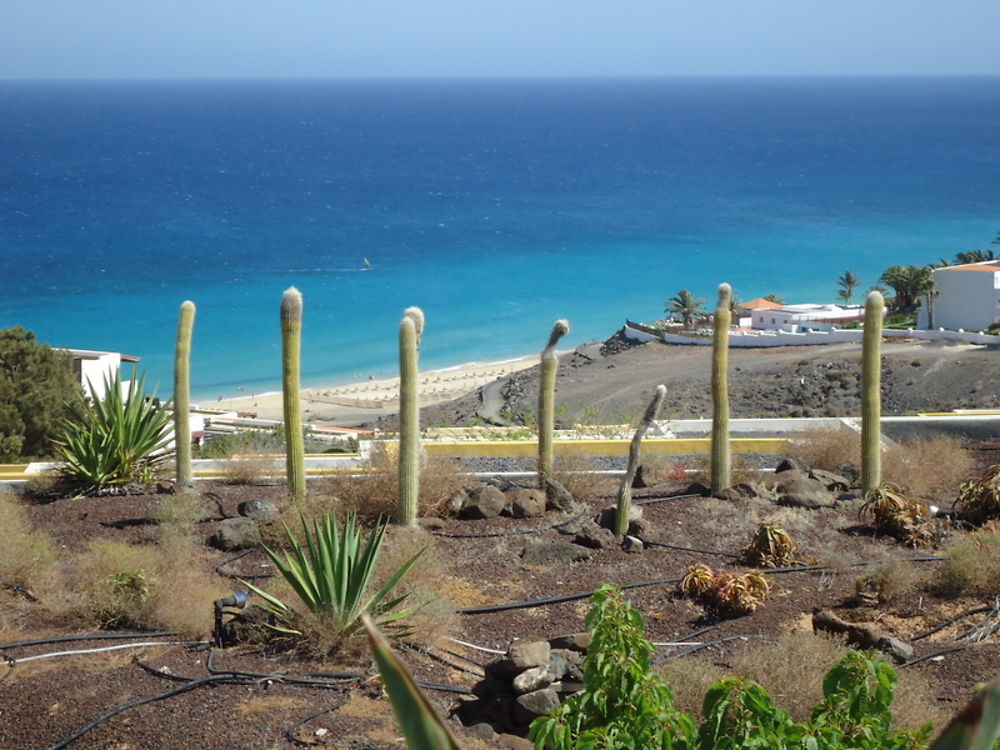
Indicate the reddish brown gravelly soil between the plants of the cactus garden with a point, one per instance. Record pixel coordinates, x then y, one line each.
44 702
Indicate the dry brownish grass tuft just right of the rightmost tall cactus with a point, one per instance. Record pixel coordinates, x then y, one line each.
928 469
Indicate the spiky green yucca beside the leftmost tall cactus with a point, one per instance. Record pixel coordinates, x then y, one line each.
115 440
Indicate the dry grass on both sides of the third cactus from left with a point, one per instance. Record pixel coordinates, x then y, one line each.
376 493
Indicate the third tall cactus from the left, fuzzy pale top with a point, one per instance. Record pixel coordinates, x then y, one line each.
411 328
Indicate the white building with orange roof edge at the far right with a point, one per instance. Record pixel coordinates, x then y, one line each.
968 296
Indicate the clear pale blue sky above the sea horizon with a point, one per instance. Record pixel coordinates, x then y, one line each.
308 38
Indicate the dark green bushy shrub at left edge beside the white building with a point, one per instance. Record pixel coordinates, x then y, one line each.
36 381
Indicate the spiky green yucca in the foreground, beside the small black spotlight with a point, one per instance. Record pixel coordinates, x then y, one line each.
332 574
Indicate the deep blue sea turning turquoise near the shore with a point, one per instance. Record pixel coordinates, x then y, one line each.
497 206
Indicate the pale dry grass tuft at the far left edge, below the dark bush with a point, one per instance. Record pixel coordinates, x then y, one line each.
27 557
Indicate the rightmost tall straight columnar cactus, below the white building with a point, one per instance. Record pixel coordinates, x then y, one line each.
871 393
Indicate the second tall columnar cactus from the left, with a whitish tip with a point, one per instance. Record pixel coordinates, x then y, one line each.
291 348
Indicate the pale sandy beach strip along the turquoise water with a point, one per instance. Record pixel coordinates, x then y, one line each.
367 400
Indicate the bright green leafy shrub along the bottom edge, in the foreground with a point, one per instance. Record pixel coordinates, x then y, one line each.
625 706
